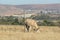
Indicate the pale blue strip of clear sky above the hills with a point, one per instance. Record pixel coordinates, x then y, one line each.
21 2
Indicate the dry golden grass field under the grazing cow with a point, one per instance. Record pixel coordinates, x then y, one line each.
16 32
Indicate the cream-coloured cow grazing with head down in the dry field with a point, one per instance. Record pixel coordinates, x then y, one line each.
30 23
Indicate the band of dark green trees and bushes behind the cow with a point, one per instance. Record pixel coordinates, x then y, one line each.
11 20
